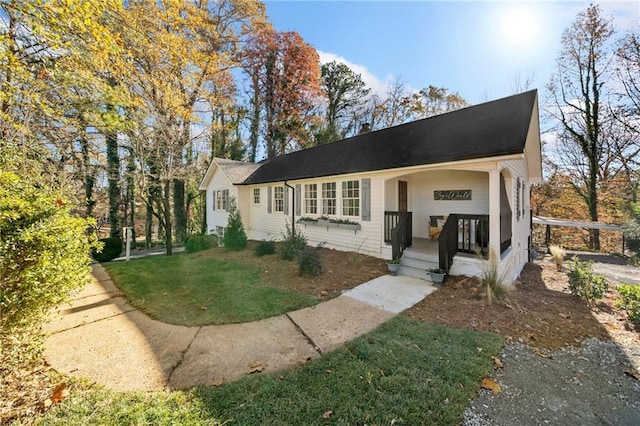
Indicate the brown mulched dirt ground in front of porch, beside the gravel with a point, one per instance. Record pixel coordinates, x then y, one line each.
540 313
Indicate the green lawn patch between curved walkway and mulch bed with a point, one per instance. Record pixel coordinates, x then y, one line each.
191 289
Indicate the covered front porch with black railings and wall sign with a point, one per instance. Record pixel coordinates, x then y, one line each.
441 214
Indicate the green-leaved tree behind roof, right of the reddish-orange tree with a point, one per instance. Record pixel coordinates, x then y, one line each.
346 95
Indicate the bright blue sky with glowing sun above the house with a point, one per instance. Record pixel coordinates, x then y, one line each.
474 48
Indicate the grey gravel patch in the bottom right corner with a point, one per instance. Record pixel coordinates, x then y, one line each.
570 386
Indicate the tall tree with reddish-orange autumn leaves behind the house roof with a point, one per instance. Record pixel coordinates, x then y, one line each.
284 80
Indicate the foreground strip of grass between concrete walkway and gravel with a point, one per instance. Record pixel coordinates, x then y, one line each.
405 372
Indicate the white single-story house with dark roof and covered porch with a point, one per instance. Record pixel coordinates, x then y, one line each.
447 191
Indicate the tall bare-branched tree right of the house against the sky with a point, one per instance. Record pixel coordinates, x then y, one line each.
578 92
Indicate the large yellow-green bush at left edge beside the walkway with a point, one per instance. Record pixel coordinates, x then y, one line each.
44 258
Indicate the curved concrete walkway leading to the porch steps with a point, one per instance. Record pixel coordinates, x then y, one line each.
102 338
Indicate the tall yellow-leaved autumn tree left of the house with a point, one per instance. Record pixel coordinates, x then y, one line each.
180 53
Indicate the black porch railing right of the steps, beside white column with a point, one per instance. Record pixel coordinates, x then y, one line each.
463 233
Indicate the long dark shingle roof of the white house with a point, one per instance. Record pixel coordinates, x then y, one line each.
487 130
